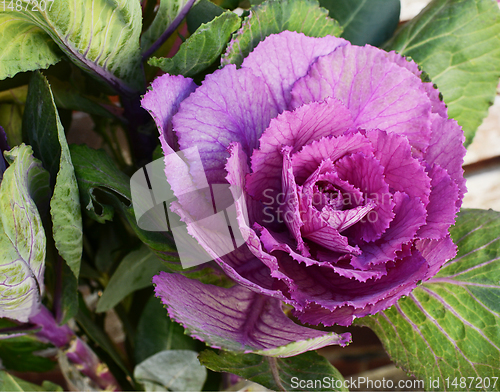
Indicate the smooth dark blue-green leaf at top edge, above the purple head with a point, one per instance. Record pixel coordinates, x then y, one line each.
365 21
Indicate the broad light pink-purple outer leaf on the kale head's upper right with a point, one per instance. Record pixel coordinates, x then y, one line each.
379 94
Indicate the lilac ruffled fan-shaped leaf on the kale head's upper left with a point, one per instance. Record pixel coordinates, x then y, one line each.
230 106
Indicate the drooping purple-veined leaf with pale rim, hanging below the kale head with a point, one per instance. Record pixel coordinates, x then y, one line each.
238 319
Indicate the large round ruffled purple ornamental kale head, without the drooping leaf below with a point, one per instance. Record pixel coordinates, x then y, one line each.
350 167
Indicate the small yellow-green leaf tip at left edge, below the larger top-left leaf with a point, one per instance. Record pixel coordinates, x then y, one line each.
25 47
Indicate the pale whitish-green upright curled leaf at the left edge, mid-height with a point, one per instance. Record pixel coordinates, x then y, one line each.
22 236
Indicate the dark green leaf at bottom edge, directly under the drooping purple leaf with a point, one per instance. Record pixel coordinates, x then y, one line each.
278 374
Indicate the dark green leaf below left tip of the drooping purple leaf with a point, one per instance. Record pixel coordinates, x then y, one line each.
156 332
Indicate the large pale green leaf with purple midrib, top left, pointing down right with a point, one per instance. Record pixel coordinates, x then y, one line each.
100 36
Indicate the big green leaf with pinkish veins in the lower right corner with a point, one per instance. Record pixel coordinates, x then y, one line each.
450 325
